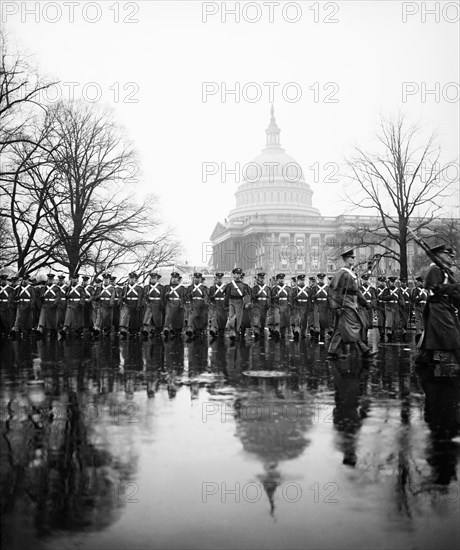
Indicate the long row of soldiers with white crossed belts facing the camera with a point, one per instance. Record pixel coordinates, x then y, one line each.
104 307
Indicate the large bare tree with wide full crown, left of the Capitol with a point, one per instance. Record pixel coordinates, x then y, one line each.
92 212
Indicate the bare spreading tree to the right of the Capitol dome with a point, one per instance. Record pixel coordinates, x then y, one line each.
403 184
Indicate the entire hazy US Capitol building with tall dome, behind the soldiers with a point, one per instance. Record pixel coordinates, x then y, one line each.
275 227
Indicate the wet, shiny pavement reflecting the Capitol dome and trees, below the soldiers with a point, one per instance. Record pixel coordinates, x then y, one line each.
133 445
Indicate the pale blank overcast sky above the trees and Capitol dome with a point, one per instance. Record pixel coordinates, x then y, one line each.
149 61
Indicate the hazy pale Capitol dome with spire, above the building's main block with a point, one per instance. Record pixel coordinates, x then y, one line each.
273 182
